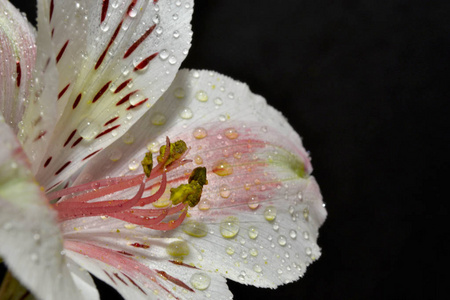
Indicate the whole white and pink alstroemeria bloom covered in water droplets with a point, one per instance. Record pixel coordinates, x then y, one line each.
99 91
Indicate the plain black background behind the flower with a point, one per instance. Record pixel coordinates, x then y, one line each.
364 83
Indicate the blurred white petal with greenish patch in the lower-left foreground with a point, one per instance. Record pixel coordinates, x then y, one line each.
30 238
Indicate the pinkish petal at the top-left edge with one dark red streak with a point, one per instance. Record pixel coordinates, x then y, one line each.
17 58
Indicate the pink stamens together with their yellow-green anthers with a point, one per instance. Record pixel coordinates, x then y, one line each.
84 200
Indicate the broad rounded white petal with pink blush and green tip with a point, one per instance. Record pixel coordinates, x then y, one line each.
261 207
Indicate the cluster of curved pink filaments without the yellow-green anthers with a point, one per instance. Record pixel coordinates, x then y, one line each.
78 205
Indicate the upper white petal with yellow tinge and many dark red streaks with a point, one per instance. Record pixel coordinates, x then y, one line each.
115 59
